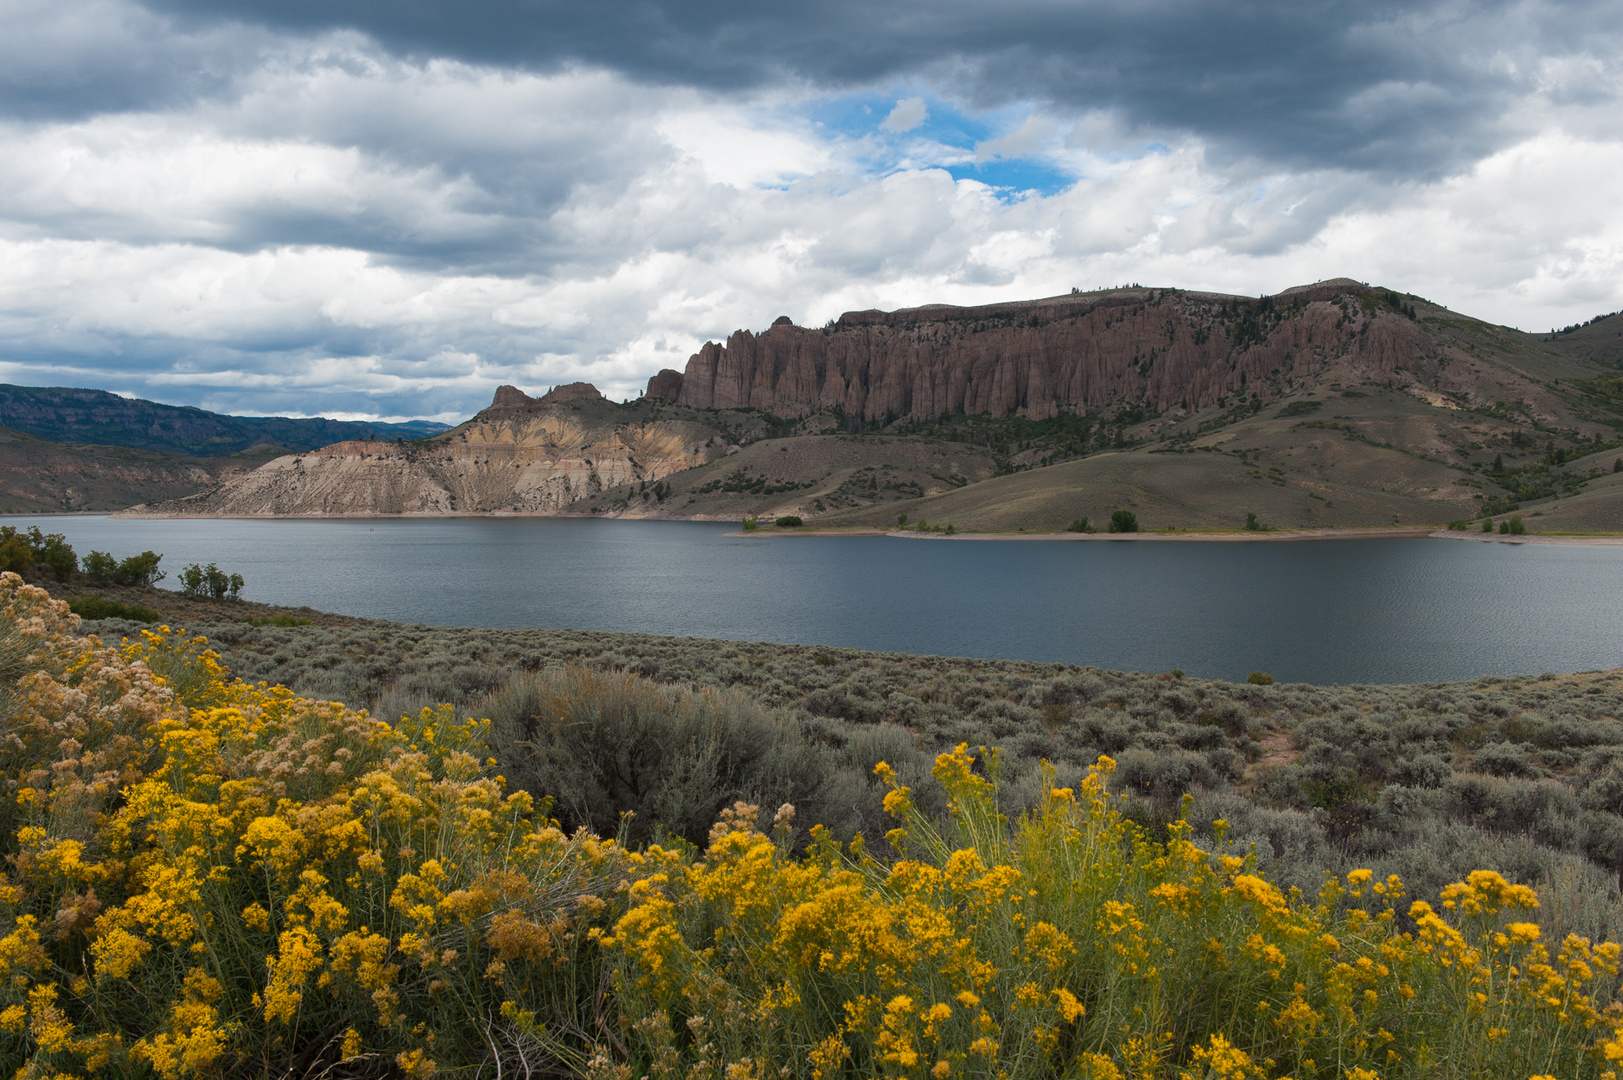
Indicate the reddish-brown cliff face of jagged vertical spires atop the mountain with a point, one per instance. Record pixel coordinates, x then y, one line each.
1077 353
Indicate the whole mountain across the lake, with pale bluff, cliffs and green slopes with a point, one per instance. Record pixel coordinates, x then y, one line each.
1325 407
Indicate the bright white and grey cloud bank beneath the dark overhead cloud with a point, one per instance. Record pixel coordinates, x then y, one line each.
334 230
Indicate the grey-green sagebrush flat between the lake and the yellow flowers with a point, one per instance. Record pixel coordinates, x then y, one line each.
1426 782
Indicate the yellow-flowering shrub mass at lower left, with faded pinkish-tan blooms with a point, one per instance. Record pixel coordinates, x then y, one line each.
204 876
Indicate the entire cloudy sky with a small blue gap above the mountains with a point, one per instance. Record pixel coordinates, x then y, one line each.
385 209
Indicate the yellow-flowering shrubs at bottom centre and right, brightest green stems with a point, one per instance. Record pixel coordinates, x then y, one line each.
1070 943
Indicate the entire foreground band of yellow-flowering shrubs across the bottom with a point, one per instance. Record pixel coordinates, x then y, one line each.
209 879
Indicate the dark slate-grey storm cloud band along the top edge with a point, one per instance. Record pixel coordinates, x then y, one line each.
1392 89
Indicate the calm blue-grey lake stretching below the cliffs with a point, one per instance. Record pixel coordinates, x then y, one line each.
1325 611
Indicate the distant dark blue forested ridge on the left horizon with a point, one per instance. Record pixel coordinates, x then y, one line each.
105 420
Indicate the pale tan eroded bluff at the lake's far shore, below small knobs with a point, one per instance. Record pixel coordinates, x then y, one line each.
520 457
